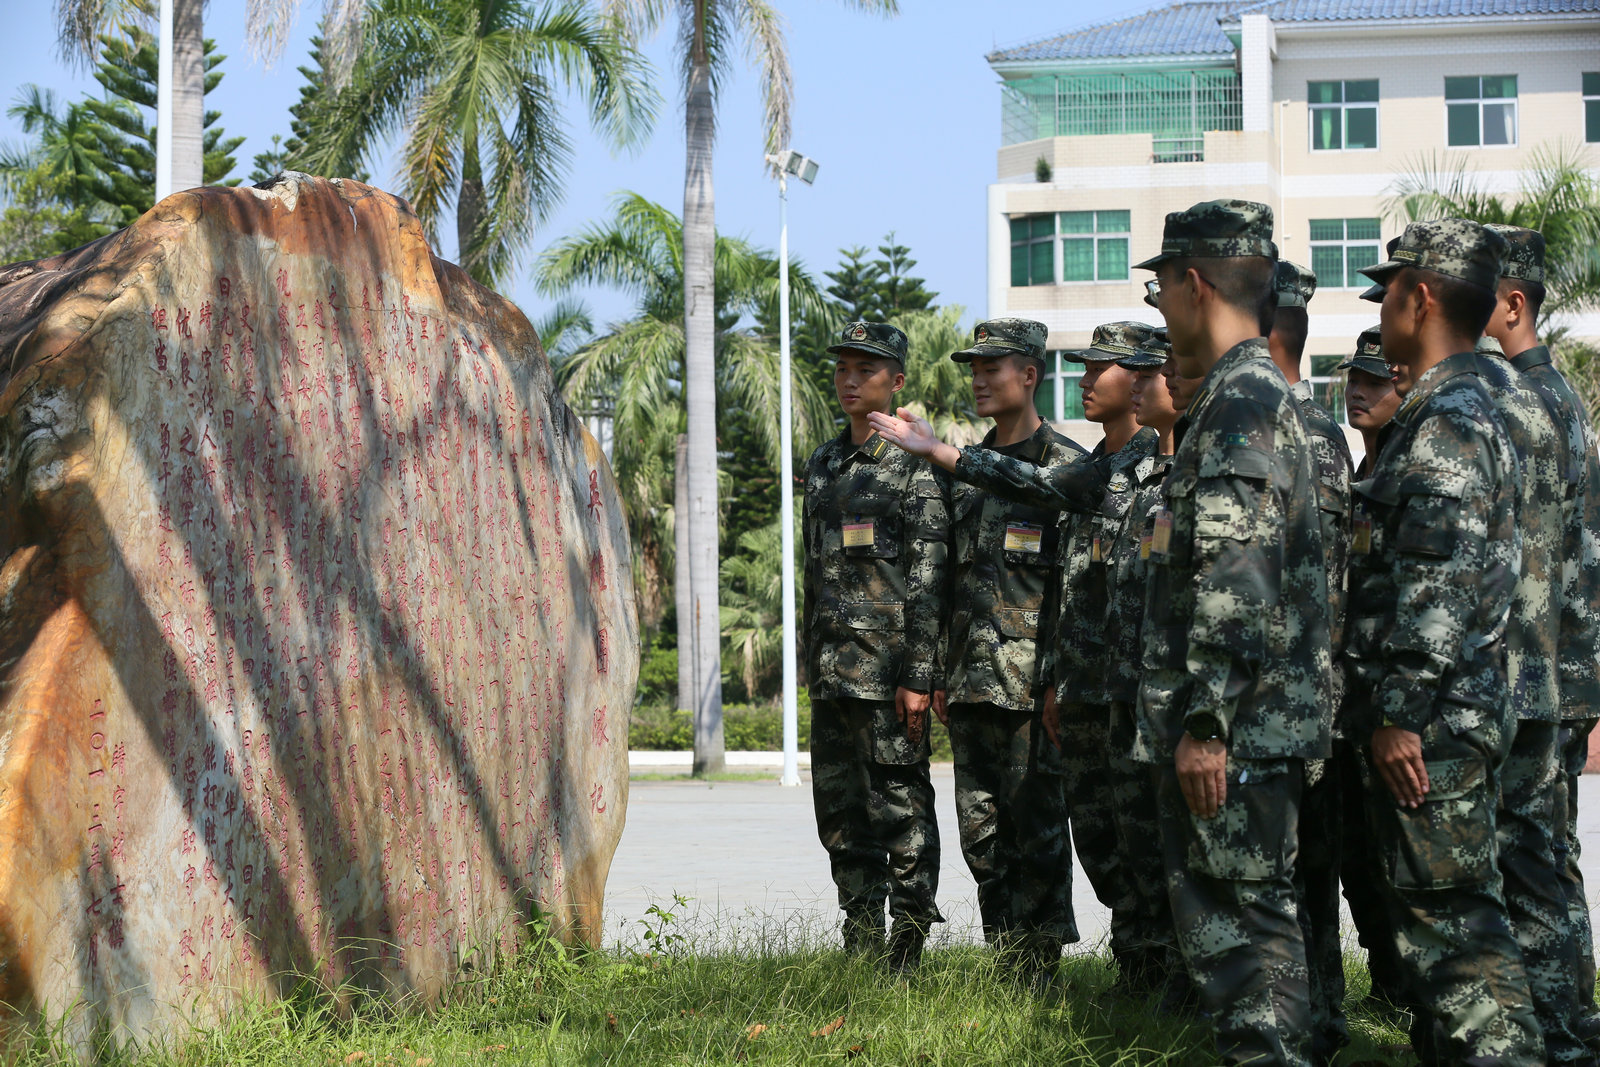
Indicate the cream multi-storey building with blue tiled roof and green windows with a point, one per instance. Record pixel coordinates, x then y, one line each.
1318 108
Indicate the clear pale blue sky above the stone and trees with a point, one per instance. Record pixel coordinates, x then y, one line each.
903 116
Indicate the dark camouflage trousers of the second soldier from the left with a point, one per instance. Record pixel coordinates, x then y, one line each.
1012 809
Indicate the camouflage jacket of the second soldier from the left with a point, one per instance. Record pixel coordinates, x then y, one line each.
1007 567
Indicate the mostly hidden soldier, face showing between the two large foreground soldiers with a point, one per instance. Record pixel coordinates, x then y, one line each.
1370 402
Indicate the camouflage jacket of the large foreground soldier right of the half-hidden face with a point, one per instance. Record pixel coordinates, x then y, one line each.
1434 562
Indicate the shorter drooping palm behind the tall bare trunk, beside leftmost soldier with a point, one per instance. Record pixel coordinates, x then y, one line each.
636 370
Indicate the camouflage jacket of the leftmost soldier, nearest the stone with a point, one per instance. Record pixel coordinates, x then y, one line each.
876 570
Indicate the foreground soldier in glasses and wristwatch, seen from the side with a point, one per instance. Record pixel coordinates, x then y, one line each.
1236 684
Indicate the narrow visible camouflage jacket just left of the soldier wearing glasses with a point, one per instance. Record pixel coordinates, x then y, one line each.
1126 569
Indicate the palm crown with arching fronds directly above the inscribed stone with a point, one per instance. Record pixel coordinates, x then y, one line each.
476 89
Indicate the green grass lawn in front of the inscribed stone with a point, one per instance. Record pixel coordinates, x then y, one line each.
737 1005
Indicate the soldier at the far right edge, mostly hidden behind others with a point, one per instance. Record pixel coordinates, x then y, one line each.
1521 295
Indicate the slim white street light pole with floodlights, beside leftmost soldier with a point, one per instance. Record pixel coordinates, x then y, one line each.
806 170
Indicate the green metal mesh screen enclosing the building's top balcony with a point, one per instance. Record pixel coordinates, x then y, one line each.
1175 106
